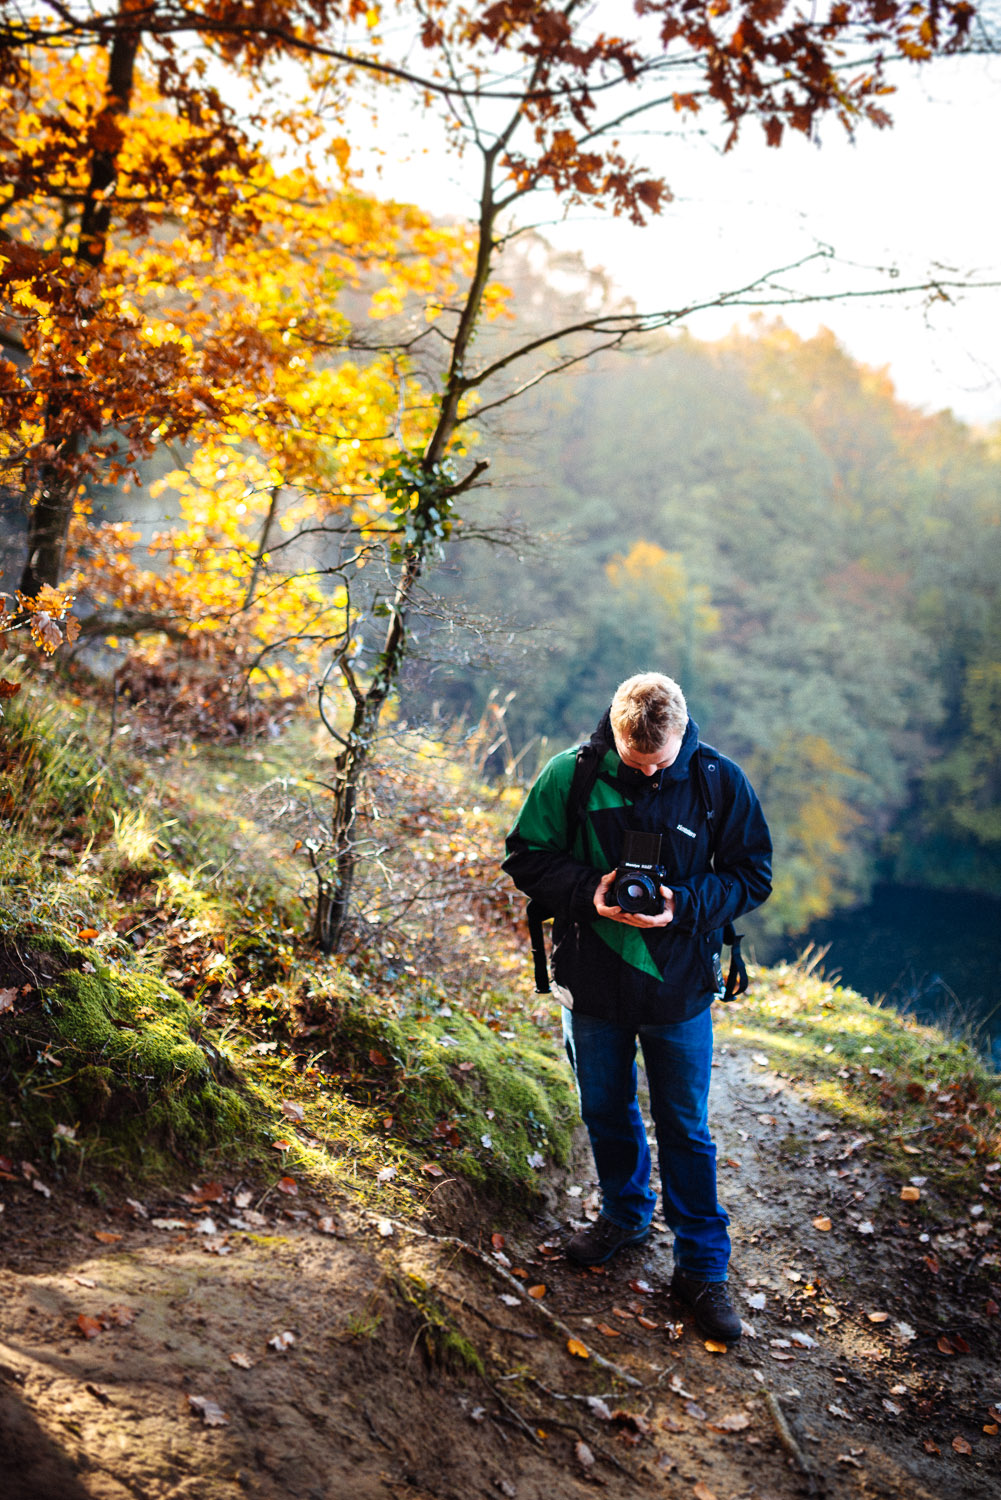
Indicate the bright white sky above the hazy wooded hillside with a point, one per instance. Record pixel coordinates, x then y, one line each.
921 197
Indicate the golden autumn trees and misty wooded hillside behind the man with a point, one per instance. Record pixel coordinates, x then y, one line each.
226 364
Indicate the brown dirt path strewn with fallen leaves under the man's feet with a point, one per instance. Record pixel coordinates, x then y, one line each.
238 1348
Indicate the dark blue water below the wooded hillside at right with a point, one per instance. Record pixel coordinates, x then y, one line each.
931 953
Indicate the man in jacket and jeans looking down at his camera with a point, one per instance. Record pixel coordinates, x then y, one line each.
628 974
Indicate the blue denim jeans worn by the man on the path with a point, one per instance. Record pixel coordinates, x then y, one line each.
679 1067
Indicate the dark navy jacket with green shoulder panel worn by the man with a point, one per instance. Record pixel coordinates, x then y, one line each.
718 868
